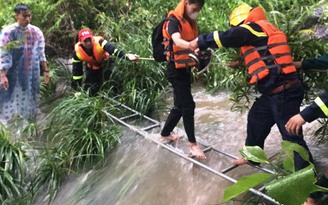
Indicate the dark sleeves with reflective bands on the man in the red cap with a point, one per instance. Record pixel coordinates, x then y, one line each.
78 64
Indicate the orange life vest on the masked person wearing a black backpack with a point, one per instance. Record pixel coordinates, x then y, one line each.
188 32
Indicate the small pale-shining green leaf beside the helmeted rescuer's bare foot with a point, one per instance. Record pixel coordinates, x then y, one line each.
254 153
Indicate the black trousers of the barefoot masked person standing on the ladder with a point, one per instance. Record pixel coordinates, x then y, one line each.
184 105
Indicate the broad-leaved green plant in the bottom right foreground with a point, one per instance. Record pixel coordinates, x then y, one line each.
286 186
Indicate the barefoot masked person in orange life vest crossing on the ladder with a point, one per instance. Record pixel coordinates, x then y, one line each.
177 36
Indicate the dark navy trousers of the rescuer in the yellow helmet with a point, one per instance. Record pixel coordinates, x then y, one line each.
278 108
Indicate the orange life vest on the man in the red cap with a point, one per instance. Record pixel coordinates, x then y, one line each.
99 56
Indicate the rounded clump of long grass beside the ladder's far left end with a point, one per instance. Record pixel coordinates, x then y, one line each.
79 127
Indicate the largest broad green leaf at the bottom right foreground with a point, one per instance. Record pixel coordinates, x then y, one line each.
293 189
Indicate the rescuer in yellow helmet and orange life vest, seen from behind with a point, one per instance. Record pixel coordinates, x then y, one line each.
270 68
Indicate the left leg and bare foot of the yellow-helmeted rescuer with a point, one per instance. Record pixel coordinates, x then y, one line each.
259 122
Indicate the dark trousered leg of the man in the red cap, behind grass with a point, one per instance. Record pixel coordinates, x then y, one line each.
93 80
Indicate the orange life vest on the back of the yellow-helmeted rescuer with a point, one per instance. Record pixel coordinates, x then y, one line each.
278 54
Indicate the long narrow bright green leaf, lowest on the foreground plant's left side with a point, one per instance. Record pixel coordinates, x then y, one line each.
244 184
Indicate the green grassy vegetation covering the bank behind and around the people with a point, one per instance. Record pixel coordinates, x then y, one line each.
76 134
